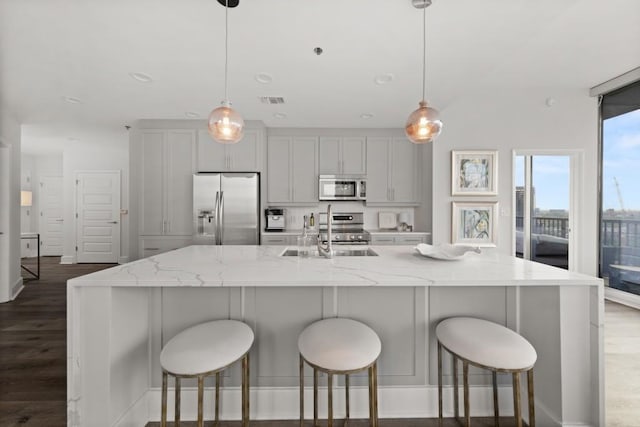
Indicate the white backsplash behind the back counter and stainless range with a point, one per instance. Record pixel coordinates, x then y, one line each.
294 215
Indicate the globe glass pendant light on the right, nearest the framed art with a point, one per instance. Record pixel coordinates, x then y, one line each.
423 125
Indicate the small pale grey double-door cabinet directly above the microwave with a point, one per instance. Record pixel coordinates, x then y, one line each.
343 155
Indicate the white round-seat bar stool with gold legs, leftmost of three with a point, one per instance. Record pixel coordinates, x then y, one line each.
203 350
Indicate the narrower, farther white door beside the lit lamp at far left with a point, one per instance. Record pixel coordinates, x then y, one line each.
50 221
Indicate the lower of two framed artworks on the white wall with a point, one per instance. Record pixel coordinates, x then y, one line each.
474 223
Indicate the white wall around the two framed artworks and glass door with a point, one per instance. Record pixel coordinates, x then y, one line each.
510 119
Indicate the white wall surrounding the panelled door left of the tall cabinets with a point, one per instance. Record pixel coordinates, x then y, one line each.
108 151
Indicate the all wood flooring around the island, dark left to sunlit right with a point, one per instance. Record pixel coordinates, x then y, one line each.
33 358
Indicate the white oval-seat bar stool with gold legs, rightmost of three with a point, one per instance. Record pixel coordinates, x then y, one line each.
489 346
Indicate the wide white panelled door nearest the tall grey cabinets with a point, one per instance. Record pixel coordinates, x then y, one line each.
98 216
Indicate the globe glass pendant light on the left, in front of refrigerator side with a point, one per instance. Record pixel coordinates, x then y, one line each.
225 124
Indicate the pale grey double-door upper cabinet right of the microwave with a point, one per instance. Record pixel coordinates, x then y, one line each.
393 174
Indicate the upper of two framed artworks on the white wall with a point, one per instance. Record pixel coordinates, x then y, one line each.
474 173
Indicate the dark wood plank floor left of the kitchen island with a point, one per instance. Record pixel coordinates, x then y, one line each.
33 348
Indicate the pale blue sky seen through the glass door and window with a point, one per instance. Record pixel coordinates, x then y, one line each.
621 156
